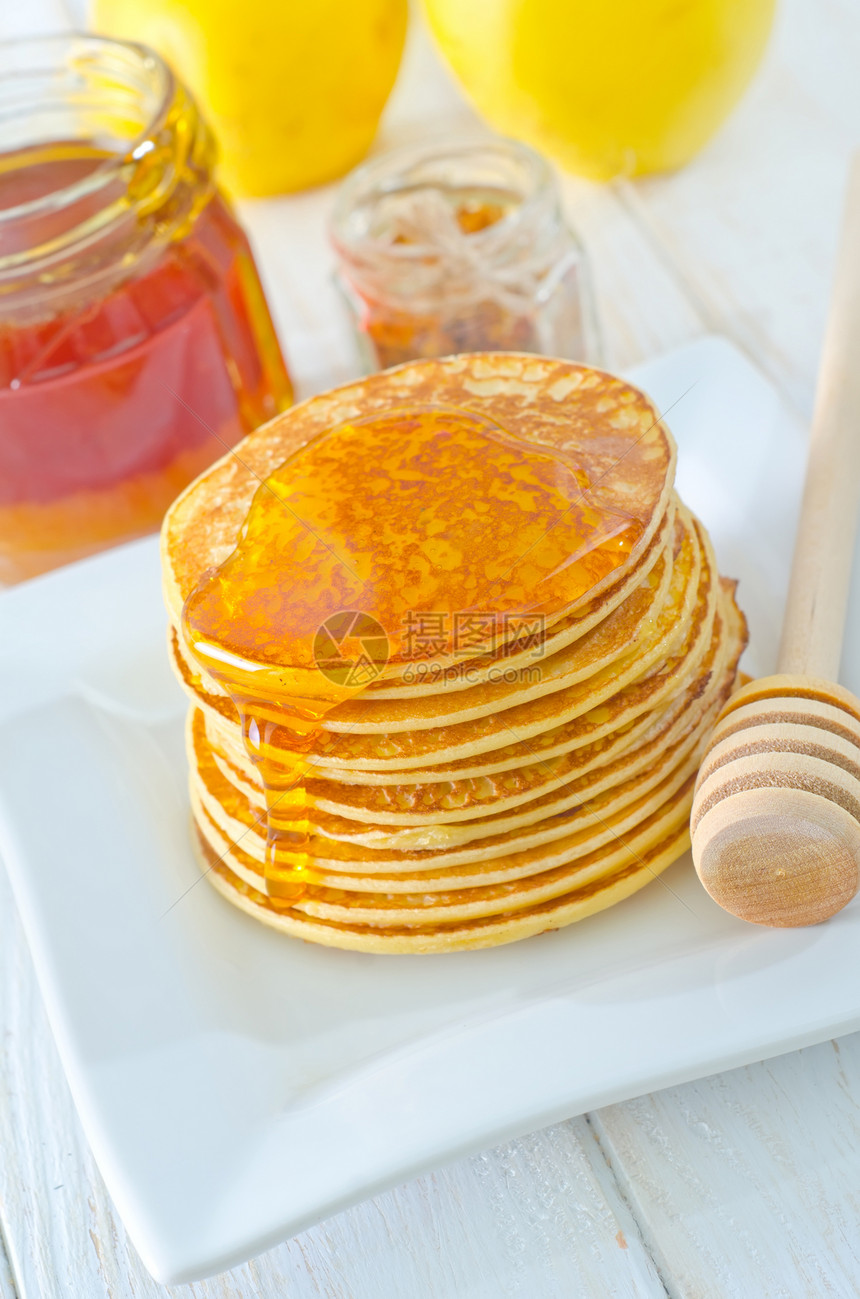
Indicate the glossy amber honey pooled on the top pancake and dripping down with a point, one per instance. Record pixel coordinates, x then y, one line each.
419 512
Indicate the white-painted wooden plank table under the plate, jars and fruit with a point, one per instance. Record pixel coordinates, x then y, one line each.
742 1185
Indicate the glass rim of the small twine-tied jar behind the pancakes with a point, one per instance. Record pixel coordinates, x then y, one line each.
376 180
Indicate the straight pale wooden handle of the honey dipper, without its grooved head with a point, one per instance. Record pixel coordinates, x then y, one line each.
824 549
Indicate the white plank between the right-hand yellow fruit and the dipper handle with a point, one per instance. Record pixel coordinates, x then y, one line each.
750 228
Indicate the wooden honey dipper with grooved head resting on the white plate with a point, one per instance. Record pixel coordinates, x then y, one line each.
776 815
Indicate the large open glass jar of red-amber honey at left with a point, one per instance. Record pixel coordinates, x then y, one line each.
136 342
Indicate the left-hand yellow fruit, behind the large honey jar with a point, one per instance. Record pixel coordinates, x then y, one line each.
293 89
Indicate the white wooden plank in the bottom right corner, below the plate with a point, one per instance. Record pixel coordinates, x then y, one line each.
749 1183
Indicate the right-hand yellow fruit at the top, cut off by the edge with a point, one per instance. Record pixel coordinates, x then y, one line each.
607 88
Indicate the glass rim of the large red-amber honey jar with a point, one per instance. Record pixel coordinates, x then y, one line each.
24 60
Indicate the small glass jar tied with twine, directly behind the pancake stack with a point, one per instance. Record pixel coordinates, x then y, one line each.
462 249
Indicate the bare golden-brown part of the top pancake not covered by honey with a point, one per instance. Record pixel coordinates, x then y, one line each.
609 427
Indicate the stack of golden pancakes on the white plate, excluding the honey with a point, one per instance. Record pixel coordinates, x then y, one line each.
480 807
